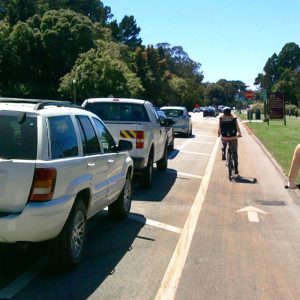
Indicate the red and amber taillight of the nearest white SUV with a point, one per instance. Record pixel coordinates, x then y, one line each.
43 184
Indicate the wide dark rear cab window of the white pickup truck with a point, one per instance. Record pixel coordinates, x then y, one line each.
117 111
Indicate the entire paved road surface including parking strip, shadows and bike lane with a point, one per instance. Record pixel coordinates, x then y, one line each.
193 235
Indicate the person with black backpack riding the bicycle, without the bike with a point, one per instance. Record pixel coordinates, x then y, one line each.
229 131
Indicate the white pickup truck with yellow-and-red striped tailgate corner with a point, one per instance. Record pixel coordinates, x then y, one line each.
137 121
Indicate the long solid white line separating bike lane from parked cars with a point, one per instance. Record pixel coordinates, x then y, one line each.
171 278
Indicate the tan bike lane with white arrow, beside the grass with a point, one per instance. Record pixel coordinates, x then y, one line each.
247 239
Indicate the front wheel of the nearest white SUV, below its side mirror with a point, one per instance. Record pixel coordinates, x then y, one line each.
120 209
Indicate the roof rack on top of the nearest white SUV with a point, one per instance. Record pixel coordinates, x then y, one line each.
40 104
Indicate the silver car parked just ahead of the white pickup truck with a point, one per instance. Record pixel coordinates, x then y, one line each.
182 120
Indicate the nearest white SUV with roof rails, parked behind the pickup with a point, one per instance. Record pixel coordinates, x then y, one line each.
59 166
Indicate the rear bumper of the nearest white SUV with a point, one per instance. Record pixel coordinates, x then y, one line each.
37 222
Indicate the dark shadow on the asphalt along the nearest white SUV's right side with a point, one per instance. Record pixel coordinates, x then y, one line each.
107 243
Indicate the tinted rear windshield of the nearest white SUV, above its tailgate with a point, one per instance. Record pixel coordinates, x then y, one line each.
18 135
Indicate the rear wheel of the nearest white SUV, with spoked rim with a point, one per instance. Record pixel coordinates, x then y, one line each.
65 251
